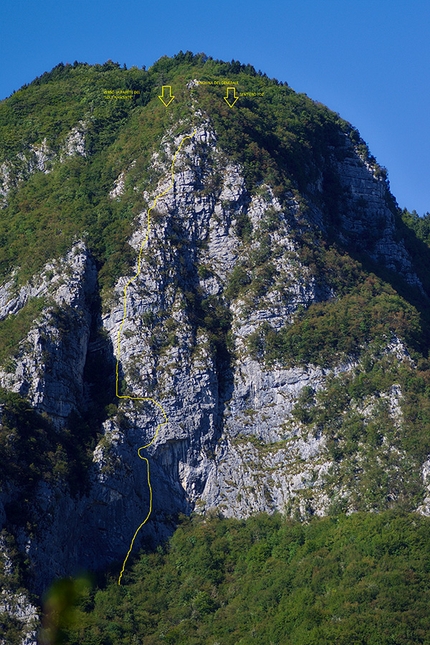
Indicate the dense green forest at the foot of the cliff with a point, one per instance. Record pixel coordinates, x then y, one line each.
361 579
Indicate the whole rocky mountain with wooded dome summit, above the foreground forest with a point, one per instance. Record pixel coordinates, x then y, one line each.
220 283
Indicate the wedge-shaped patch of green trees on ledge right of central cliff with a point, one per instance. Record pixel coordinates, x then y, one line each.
331 330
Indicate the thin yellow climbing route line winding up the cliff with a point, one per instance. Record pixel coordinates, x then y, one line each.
118 350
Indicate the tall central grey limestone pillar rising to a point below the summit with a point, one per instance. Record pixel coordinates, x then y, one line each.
209 400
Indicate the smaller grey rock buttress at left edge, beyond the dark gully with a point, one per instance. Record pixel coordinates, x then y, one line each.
49 366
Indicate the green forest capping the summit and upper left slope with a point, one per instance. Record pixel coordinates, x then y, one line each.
282 138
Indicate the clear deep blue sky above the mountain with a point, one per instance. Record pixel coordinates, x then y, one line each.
367 60
